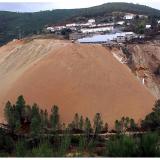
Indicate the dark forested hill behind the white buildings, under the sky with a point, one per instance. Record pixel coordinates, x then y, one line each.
14 24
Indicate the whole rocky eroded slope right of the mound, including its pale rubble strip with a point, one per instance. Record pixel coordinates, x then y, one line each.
143 60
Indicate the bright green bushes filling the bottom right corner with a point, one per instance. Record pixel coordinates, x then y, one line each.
146 145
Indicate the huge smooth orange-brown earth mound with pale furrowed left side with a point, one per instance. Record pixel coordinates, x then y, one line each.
78 78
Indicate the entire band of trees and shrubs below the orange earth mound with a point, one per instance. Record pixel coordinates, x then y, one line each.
31 132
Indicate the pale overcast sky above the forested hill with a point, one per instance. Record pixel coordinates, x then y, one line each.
26 6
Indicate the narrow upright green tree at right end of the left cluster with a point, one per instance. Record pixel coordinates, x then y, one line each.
54 118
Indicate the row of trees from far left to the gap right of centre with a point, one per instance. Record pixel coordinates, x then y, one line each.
21 115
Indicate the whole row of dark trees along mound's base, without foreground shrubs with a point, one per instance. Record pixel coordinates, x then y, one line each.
20 114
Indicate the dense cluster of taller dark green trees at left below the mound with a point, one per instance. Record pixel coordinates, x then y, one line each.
35 119
